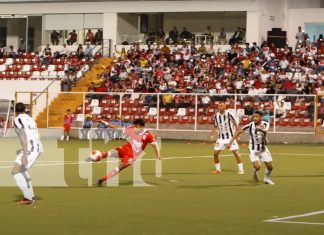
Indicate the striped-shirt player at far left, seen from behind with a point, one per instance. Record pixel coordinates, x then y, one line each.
26 129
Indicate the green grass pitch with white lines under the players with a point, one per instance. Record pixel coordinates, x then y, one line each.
186 199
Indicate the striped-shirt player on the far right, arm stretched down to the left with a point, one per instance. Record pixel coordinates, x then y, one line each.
257 145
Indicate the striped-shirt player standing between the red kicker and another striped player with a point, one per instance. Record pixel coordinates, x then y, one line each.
226 126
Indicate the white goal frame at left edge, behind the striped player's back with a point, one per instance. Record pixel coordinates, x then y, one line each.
6 115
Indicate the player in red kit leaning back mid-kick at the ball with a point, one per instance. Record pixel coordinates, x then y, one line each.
128 153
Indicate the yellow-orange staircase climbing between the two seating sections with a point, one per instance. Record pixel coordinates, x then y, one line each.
64 101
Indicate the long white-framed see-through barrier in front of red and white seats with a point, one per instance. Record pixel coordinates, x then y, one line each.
184 111
